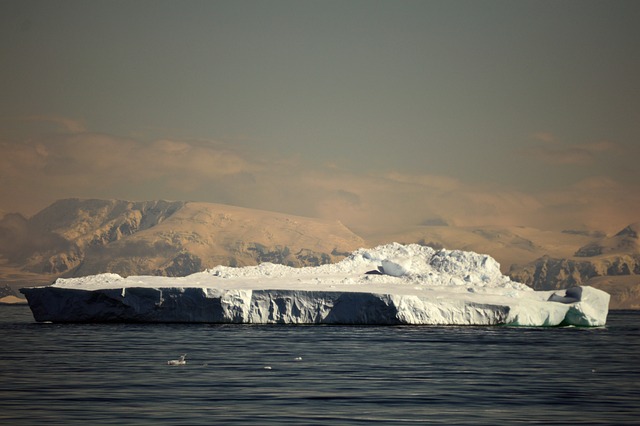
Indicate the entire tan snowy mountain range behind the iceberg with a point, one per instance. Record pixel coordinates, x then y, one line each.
76 237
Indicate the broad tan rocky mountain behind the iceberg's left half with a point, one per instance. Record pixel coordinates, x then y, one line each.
76 237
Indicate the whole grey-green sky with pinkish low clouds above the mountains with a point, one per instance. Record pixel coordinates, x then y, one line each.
384 115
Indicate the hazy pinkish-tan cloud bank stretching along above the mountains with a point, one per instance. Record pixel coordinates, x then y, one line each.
38 170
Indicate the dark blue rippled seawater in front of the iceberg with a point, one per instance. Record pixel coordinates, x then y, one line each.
117 374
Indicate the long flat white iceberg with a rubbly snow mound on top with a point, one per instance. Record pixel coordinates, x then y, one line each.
391 284
